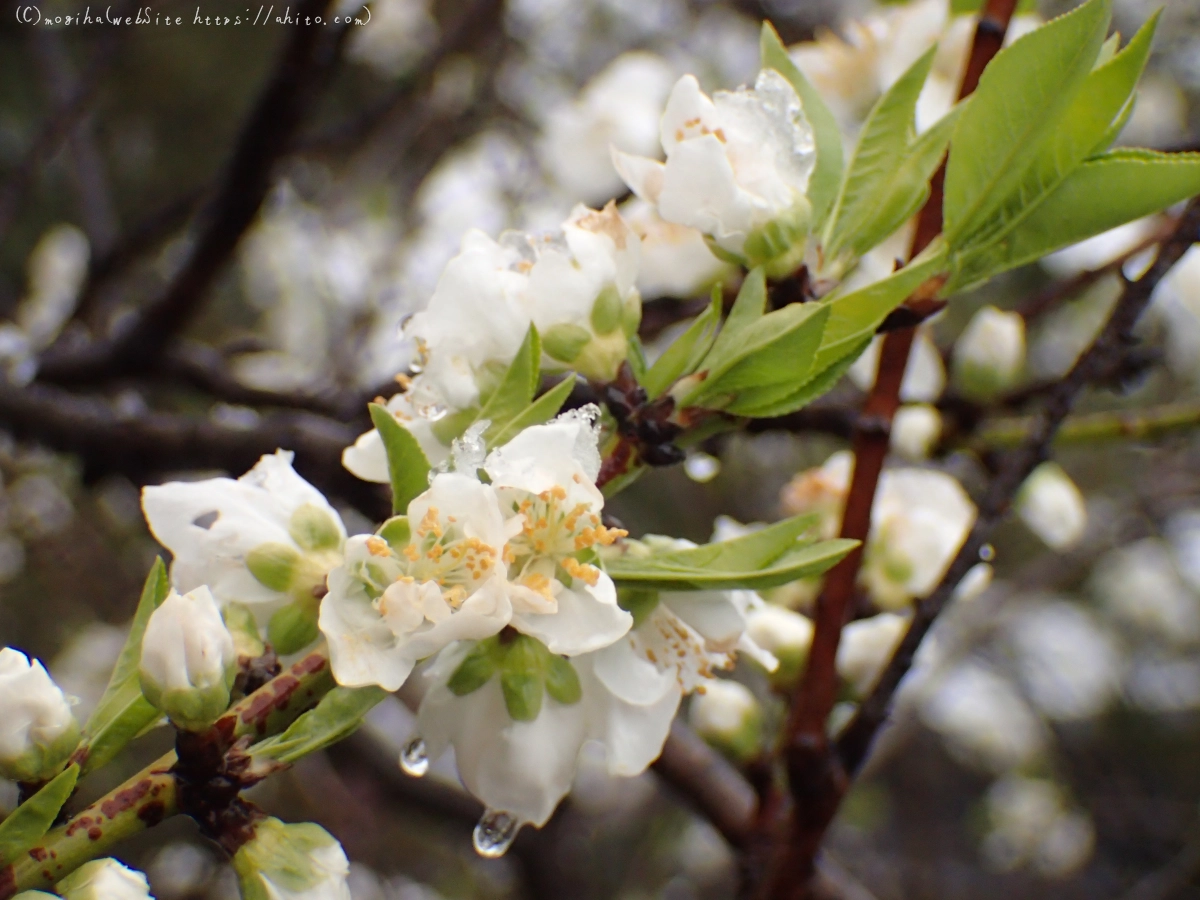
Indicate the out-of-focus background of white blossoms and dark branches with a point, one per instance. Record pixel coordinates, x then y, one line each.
1048 743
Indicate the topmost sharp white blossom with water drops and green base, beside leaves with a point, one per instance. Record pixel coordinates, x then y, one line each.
737 169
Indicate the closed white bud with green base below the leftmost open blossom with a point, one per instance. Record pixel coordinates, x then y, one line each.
188 659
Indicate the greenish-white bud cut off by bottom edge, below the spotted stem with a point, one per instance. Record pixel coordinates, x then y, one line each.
292 862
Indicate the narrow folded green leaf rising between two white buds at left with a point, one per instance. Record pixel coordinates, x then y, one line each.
123 713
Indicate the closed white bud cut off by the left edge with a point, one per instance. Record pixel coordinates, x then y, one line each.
38 731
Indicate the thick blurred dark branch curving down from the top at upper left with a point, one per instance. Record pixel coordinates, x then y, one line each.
139 340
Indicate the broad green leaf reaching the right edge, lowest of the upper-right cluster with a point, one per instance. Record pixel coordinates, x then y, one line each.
1105 193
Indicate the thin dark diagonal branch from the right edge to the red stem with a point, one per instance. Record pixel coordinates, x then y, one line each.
1096 367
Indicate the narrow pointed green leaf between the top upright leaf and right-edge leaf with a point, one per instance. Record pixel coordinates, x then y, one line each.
1082 130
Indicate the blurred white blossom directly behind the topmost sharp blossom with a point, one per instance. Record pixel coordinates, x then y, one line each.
619 107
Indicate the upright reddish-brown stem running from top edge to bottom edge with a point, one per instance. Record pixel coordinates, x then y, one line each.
817 778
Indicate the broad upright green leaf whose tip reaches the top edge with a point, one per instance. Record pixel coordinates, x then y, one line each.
1013 115
